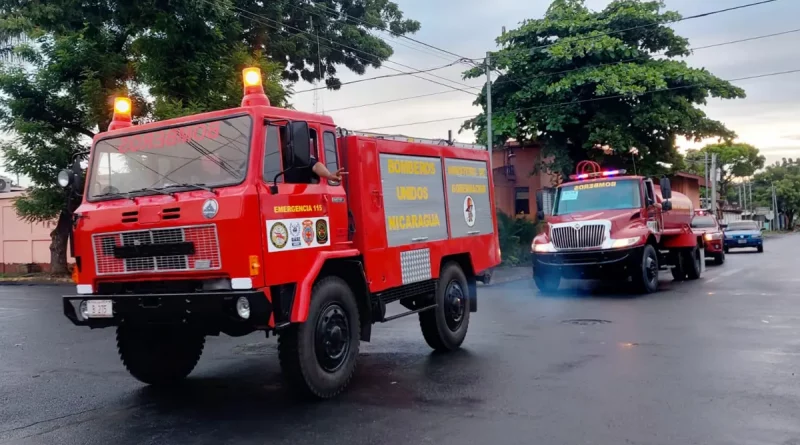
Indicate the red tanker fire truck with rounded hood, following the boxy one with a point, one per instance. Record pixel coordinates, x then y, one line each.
605 225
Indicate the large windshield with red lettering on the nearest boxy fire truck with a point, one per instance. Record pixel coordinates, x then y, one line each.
202 154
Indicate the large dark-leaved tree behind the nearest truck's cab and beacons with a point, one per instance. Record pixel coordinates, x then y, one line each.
72 57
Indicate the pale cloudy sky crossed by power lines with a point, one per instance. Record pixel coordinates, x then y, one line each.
767 118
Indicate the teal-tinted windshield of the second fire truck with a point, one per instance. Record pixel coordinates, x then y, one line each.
611 194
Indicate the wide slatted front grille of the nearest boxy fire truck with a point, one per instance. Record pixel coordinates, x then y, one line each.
205 257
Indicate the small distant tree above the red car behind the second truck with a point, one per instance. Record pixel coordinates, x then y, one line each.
734 159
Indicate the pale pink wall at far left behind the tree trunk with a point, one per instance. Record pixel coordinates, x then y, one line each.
22 242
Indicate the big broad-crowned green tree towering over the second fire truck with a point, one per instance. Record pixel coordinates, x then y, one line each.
577 78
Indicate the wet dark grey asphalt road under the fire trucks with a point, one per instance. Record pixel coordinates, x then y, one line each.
708 362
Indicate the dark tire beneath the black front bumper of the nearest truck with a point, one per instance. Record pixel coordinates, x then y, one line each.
159 355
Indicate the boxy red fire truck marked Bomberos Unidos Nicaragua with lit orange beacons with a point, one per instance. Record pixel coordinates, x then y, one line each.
211 224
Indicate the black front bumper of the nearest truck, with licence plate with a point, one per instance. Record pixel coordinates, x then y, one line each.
215 310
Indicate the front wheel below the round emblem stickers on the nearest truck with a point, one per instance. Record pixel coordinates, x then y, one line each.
318 357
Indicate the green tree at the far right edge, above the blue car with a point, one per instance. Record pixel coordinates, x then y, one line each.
785 176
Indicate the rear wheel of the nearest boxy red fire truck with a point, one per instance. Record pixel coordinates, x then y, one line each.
445 326
